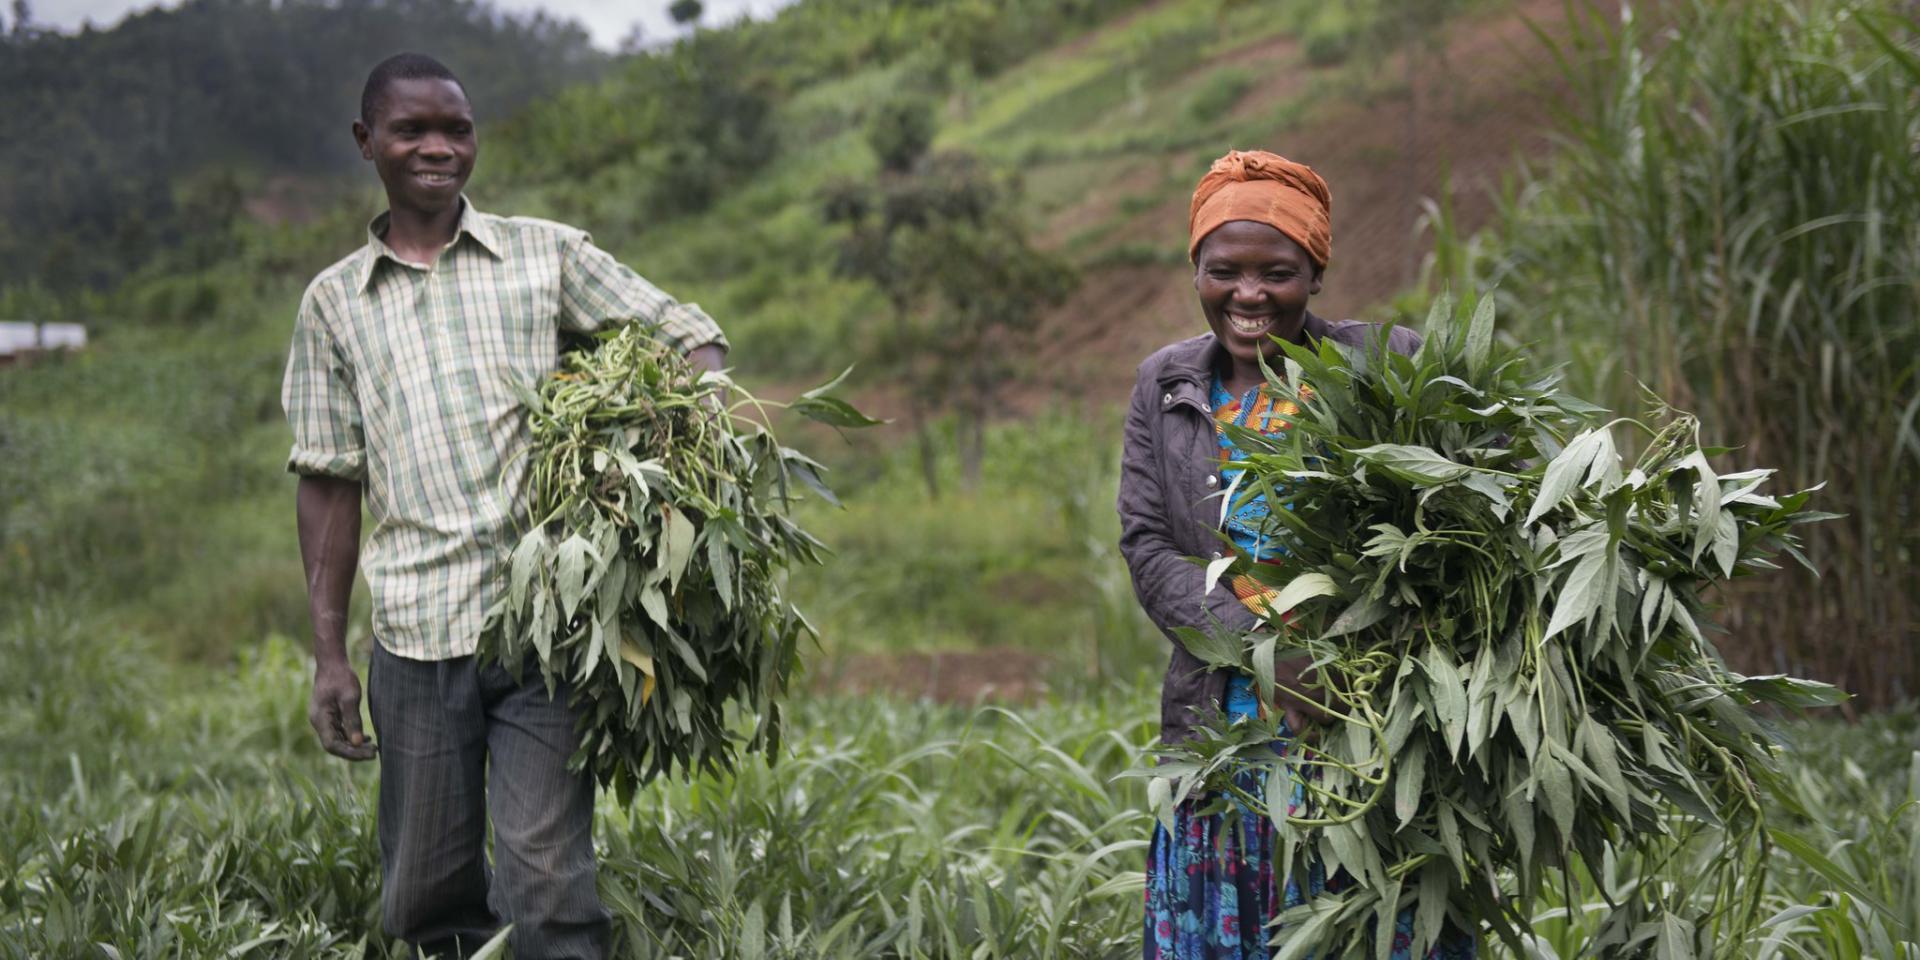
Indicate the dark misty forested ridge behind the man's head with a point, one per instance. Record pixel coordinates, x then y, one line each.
122 145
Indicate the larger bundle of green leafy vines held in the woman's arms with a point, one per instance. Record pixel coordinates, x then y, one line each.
1508 625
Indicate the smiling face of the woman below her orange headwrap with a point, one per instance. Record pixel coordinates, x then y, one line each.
1255 285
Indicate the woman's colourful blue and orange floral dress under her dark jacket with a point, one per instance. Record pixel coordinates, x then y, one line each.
1211 882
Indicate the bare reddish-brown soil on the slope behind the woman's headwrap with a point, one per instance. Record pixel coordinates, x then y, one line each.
1462 122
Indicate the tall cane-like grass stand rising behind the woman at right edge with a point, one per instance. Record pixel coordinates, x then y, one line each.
1735 222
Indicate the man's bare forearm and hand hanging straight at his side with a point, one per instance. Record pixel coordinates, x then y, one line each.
329 550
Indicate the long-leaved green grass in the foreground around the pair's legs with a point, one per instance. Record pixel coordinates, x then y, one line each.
172 811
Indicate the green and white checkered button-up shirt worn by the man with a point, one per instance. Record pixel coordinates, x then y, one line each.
400 379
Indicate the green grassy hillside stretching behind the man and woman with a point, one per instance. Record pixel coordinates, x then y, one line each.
757 124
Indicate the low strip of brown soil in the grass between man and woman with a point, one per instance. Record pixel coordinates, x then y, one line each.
1001 675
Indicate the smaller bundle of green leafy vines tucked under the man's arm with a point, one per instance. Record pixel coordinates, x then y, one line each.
650 583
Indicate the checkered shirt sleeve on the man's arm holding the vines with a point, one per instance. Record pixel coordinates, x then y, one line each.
598 291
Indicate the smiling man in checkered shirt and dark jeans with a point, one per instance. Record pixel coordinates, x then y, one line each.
400 385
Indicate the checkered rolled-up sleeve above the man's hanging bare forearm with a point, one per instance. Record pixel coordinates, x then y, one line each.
320 402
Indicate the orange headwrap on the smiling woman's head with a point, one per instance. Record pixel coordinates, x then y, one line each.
1255 185
